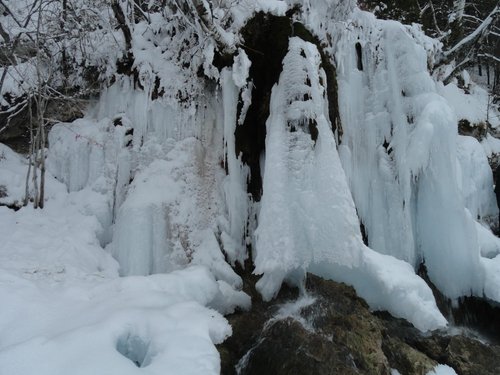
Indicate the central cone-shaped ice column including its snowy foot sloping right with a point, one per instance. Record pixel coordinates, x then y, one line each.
307 221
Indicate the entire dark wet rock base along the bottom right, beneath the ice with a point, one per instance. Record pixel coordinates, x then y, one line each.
333 332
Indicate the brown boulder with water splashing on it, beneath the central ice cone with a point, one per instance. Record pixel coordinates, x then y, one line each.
335 335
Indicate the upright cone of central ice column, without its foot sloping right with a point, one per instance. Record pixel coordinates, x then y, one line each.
307 214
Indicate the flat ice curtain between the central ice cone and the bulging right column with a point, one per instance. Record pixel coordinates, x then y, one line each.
373 120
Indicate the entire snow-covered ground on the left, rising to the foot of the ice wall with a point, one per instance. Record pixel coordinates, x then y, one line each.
89 320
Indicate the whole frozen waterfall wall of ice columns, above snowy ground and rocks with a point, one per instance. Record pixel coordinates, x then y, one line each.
174 189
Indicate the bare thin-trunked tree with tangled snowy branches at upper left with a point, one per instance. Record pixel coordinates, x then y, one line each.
38 56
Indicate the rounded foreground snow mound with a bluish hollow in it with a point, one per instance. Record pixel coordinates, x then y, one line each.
124 325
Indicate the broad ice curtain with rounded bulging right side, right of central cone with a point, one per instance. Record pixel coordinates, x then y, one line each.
399 152
